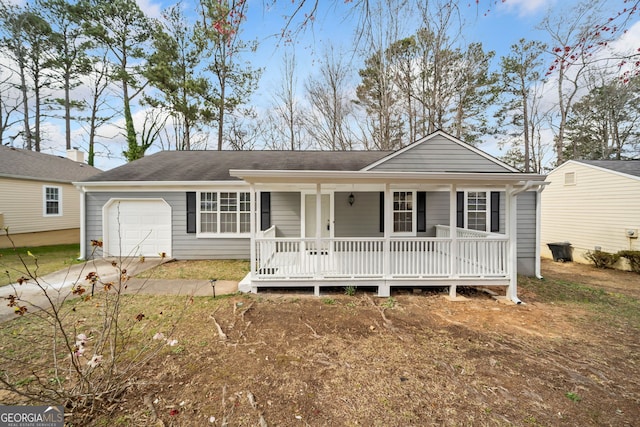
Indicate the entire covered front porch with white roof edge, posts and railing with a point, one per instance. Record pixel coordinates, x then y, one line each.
376 229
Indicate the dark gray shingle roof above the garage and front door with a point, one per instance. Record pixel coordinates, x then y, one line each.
211 165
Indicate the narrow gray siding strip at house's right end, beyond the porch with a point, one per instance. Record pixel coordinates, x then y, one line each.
526 233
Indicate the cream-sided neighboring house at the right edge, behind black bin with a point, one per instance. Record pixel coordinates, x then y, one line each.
593 205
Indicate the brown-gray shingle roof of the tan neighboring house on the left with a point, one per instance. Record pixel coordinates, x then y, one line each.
26 164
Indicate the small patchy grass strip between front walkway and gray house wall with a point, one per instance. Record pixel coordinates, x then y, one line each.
201 269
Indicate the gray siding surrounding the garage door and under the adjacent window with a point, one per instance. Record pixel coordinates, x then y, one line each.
184 245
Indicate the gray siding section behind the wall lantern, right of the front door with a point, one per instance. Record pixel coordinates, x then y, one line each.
360 220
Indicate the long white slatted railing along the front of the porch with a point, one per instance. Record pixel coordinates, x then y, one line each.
377 258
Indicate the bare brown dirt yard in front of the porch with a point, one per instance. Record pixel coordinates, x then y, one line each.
415 359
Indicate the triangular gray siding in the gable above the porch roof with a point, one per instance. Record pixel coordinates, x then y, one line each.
440 155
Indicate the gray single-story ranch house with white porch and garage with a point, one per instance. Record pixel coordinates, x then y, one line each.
327 218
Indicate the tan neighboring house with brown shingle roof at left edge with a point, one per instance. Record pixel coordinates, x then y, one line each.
38 202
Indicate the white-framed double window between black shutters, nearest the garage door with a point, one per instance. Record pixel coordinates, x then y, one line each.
224 213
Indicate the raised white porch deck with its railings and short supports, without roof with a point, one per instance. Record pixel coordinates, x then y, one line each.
472 258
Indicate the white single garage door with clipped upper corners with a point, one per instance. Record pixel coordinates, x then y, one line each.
138 227
